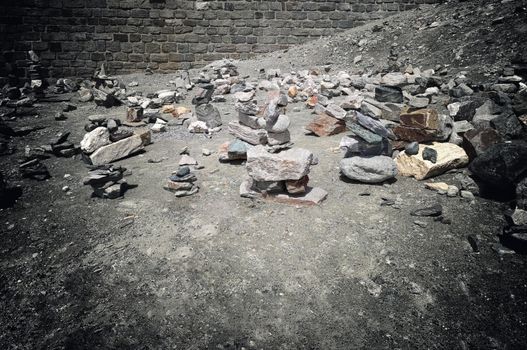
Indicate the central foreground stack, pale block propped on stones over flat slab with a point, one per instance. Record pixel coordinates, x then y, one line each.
281 177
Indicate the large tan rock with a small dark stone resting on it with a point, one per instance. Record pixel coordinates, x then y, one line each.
449 156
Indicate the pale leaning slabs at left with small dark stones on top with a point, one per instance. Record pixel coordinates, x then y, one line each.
107 142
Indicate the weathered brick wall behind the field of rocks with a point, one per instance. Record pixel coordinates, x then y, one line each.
73 37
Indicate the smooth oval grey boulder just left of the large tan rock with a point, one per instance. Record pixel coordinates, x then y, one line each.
368 169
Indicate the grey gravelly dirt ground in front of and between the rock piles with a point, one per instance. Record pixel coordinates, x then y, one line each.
217 271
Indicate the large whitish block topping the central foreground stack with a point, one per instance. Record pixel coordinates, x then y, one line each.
292 164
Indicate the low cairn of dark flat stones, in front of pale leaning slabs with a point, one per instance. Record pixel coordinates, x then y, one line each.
106 181
